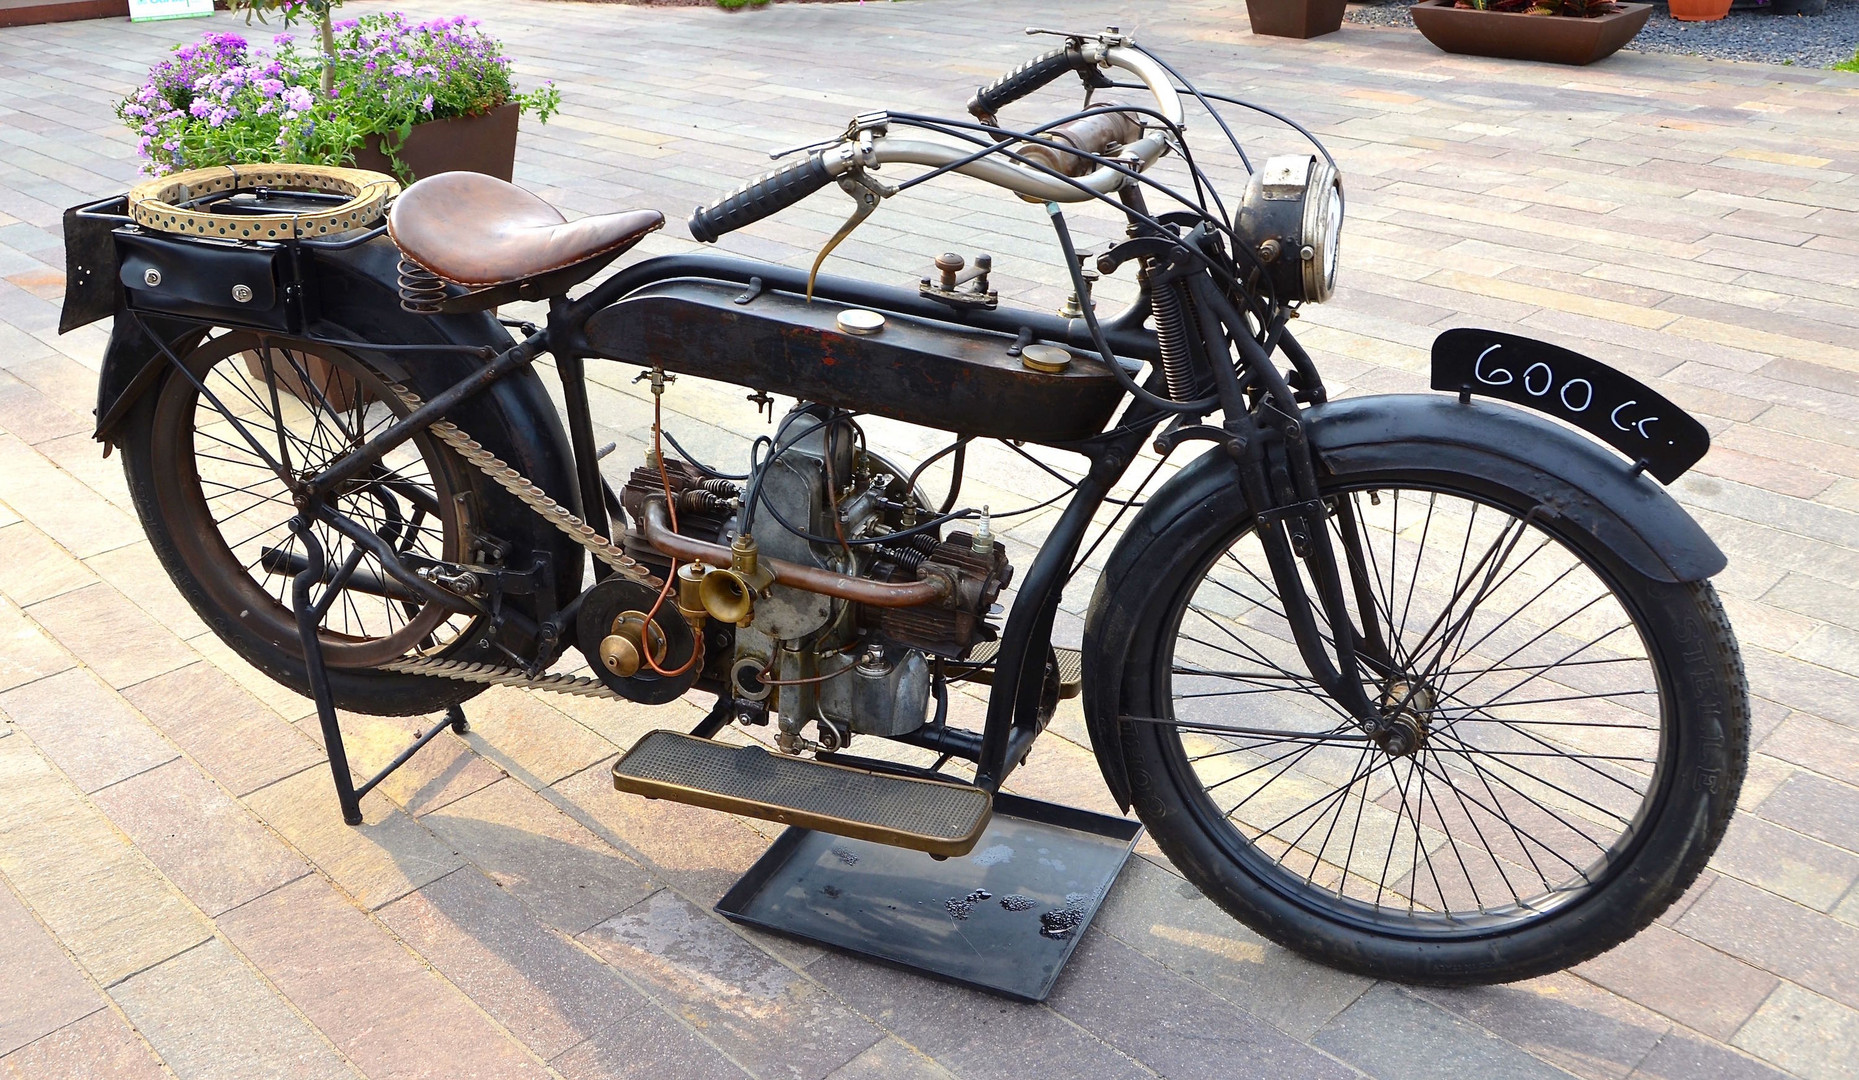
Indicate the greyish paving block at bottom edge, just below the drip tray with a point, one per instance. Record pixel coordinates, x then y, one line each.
975 1036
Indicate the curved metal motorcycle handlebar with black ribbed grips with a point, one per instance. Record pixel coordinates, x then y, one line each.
795 183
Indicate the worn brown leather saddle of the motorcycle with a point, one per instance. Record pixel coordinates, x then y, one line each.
501 243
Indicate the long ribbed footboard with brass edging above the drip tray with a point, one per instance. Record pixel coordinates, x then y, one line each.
849 802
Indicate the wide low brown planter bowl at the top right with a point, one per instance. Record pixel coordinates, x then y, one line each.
1544 38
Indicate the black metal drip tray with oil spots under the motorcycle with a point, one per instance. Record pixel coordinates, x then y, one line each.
1005 917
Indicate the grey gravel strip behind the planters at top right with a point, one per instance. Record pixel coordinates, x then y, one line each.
1745 34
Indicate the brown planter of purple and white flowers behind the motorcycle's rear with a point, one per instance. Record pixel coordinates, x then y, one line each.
380 92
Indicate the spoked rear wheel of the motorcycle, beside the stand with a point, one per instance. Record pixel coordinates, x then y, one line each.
217 512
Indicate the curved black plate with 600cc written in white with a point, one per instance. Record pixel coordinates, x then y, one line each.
1615 408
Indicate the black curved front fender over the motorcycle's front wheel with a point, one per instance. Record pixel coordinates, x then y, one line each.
1583 482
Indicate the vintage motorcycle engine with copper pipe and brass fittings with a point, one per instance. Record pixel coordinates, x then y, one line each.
826 503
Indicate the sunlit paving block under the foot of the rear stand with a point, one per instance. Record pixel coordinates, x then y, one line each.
378 862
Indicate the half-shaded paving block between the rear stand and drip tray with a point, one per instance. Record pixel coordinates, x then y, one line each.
544 858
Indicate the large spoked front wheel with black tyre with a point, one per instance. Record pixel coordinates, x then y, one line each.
1572 735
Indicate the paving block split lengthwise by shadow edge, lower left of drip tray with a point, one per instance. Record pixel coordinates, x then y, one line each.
542 988
